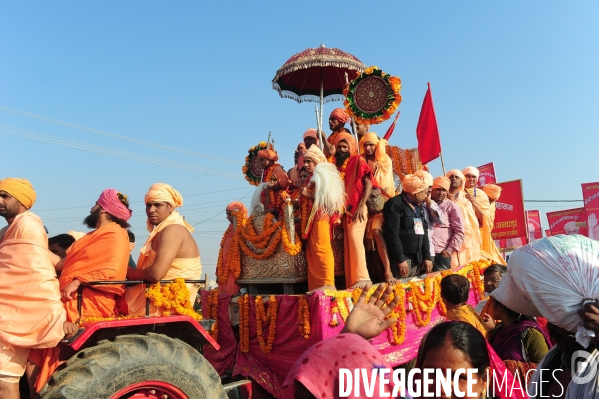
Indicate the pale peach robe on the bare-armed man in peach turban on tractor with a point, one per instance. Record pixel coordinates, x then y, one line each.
187 268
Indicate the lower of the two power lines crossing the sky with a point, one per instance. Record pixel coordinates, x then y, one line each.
115 153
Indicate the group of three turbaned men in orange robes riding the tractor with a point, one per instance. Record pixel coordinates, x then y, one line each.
38 305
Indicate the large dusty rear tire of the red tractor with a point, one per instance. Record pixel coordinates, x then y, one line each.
104 370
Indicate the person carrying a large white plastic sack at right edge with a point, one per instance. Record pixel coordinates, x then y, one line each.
565 295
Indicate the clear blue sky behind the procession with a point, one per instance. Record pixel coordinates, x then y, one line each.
514 83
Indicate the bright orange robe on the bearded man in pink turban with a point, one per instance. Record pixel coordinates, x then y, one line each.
101 255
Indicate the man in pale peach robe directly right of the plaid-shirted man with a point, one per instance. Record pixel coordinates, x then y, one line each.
471 246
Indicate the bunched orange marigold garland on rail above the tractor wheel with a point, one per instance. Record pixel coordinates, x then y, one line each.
172 296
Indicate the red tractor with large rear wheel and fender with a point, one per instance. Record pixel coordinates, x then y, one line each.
146 357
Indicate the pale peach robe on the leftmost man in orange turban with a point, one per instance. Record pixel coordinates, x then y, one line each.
31 313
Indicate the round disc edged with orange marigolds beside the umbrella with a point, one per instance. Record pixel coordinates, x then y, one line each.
373 96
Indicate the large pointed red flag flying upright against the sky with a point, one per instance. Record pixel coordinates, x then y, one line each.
429 145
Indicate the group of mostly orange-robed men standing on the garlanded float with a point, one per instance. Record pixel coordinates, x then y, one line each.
429 224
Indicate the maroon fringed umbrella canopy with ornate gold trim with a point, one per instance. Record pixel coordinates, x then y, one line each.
301 76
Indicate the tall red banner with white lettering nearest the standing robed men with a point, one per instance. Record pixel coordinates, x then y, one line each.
510 220
